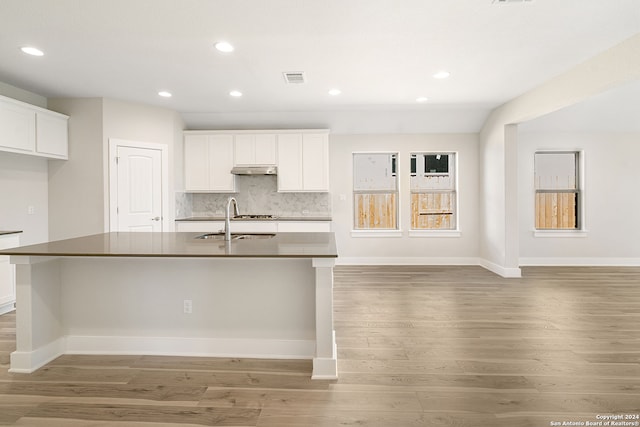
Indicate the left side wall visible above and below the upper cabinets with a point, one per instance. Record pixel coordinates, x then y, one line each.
23 183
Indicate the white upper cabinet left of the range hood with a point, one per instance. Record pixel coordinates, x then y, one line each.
208 160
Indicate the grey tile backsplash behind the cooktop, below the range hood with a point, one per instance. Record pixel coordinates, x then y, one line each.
256 195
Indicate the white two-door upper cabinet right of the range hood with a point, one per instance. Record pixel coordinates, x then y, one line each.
303 162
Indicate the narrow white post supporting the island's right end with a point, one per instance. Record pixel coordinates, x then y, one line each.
325 362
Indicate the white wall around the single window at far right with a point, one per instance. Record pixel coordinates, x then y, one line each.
610 197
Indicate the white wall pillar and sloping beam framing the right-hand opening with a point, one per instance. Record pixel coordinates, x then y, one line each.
499 222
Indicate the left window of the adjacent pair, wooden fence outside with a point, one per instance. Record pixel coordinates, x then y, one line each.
375 191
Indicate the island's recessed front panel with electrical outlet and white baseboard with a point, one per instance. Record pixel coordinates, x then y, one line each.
249 307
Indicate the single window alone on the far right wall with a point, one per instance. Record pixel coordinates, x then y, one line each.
557 191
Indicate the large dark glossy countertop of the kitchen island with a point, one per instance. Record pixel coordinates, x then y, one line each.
177 245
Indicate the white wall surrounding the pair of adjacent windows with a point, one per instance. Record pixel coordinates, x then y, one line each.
404 249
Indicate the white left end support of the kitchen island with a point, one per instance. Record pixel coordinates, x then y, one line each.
39 329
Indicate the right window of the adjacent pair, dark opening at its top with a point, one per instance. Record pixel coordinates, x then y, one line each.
433 191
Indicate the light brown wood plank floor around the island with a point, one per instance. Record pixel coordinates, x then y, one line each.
418 346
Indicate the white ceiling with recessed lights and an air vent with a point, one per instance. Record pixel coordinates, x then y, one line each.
380 53
